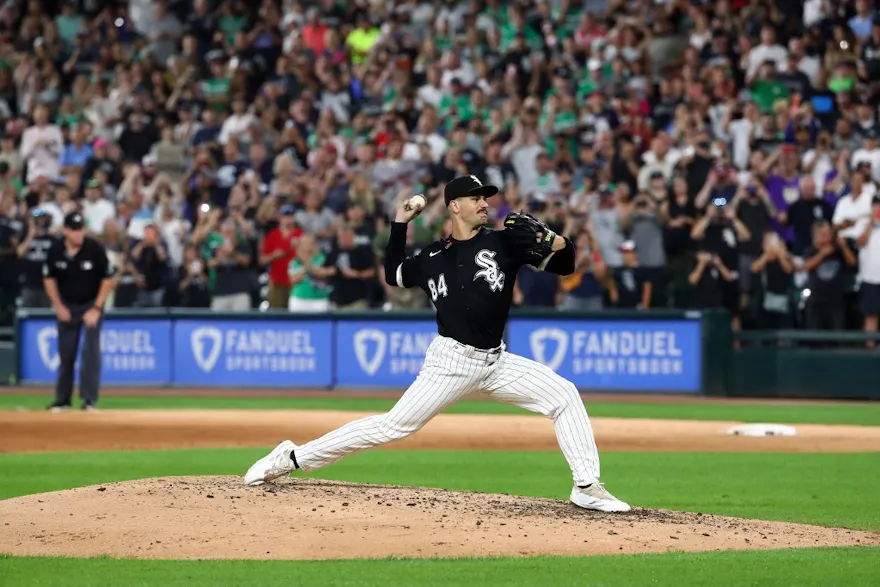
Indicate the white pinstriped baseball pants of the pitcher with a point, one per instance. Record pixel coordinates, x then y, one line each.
452 371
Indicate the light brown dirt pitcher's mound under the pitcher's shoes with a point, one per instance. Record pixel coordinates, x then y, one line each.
216 517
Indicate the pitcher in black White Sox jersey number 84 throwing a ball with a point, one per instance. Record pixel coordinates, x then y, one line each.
469 277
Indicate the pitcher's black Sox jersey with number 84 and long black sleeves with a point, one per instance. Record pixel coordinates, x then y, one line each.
470 282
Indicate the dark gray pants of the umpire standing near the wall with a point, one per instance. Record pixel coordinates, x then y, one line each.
90 361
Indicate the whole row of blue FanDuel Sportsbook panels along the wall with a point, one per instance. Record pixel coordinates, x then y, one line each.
608 351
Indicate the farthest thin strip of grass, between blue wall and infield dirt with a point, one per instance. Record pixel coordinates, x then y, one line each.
855 414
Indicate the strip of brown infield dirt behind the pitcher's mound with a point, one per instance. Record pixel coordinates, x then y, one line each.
170 429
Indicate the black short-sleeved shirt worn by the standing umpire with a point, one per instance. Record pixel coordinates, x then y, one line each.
78 278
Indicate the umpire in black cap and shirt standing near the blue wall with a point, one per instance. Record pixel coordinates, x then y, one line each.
78 278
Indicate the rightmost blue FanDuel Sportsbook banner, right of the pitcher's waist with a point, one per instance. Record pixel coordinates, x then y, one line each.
615 355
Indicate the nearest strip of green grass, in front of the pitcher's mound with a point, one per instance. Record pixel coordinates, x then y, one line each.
852 567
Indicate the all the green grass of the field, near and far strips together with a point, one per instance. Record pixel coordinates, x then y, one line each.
827 489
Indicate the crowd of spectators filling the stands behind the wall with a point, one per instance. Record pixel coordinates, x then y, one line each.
235 155
